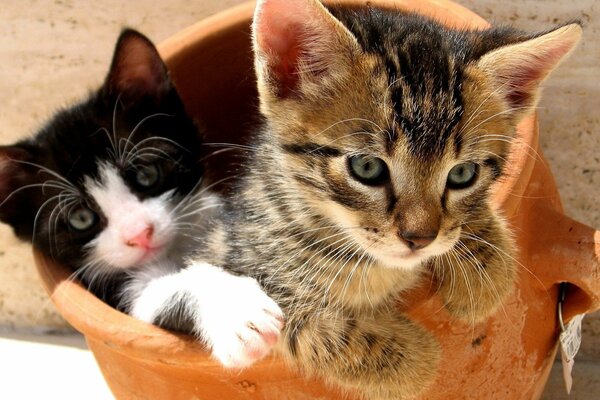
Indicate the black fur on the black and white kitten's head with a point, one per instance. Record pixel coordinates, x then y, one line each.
77 138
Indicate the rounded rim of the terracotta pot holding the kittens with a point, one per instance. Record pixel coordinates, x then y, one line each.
92 317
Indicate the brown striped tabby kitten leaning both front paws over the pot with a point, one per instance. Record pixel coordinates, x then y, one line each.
384 133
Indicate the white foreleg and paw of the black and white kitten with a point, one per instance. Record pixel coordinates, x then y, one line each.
232 314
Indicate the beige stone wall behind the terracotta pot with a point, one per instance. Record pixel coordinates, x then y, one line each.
53 52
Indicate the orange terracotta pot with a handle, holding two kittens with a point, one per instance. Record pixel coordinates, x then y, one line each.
506 357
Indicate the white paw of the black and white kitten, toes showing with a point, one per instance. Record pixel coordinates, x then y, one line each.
243 323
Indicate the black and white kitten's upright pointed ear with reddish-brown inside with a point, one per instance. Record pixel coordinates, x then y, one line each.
137 70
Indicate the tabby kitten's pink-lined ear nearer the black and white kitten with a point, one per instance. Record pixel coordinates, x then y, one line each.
298 45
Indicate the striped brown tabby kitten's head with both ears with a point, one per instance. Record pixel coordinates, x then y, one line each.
391 125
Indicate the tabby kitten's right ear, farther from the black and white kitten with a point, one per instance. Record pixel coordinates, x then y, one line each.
516 71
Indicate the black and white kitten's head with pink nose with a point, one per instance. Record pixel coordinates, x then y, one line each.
101 184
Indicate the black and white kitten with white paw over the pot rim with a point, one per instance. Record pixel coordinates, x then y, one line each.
109 187
